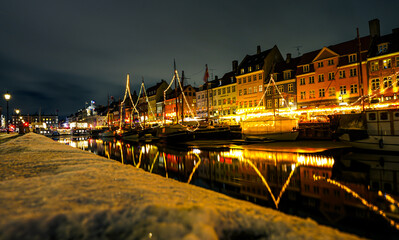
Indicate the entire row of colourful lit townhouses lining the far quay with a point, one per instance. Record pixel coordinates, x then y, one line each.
348 76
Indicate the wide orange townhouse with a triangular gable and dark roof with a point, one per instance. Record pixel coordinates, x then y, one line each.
330 77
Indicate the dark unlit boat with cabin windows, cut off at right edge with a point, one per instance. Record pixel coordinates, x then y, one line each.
372 130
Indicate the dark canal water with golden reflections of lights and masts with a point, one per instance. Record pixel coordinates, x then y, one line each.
355 192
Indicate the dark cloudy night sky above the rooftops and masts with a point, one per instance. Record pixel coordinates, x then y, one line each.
58 55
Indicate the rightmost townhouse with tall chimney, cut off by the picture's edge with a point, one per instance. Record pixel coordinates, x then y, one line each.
383 65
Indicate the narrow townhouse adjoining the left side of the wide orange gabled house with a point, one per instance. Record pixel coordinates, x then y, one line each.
282 94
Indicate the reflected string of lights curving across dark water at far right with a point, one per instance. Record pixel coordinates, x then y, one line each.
362 200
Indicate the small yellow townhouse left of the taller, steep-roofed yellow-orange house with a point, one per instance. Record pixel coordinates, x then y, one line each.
224 96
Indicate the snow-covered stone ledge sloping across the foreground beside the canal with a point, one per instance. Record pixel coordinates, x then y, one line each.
52 191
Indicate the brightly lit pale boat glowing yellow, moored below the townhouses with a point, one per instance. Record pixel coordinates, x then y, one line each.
270 127
